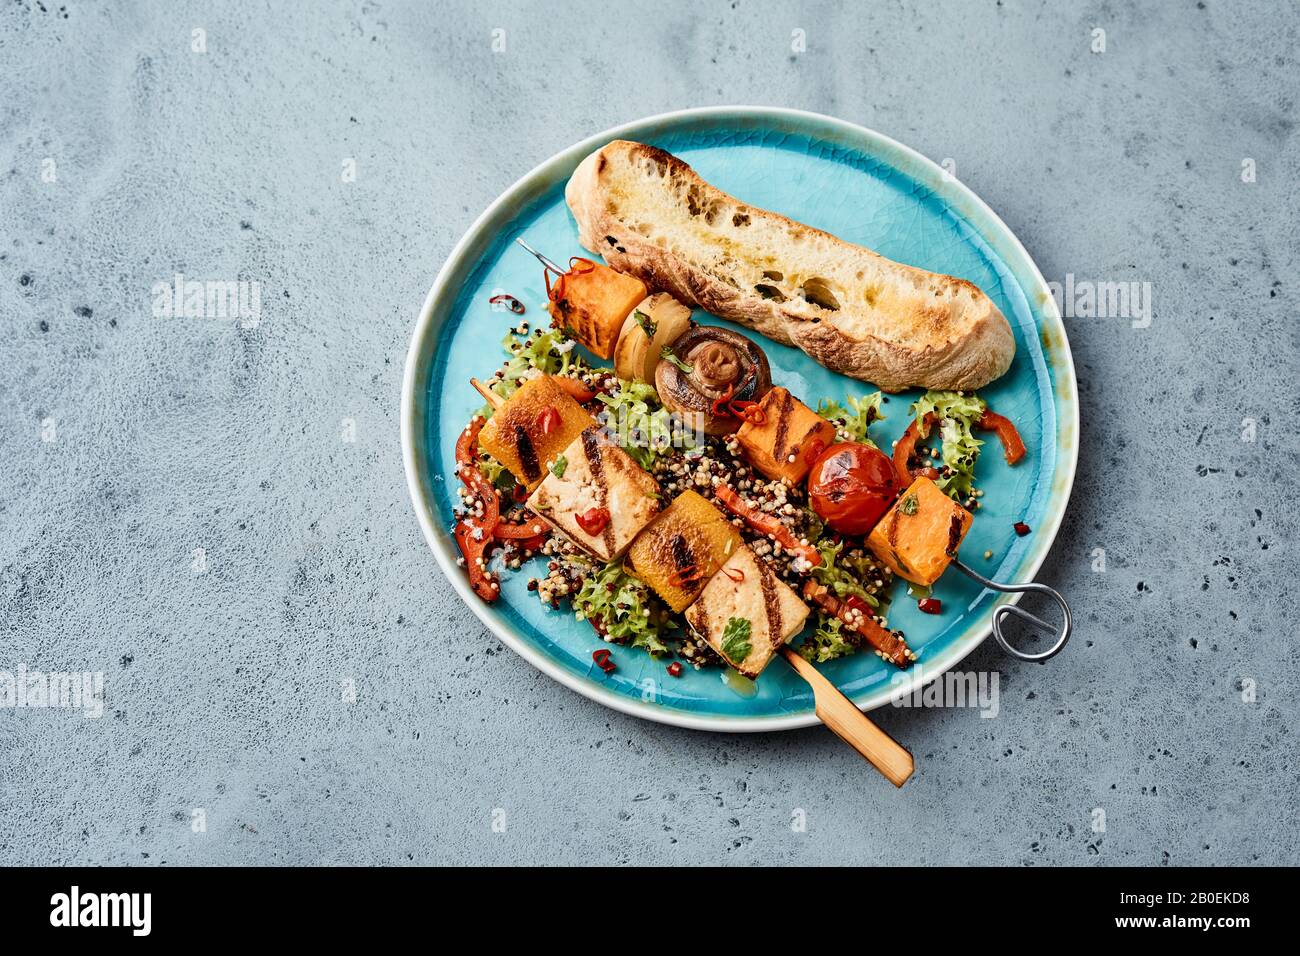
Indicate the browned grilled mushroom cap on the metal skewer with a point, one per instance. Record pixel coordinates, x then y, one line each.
718 360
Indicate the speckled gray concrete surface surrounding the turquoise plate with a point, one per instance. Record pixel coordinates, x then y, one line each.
131 440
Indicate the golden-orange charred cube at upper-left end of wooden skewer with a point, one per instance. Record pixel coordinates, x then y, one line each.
531 430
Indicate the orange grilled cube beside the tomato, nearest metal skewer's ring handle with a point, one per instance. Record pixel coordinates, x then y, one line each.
916 537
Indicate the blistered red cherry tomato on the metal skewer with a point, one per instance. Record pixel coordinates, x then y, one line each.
851 487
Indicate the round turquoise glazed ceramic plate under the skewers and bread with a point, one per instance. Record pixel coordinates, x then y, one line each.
861 187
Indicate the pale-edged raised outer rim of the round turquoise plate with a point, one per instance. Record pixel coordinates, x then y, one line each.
443 296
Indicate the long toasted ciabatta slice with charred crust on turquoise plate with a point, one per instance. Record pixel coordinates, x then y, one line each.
648 214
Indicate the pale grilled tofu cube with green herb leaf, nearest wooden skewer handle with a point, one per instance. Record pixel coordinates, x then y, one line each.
747 613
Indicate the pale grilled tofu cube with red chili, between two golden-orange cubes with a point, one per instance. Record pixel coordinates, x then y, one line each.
603 500
